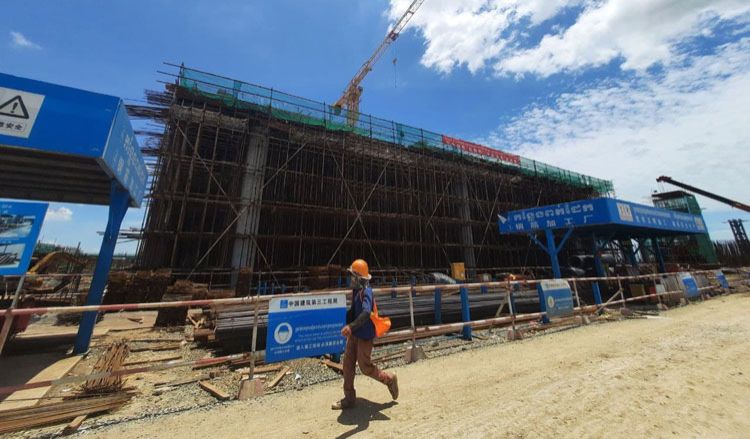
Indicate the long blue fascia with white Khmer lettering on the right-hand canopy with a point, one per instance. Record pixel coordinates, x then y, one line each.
599 211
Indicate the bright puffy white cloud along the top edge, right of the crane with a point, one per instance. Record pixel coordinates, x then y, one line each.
478 33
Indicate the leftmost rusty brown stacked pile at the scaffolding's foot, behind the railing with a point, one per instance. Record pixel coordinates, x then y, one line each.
139 287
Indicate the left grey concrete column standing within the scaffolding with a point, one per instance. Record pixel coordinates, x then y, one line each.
251 195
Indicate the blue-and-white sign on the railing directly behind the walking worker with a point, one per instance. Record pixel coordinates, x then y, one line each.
308 326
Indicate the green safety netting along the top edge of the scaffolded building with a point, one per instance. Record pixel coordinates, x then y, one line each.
284 106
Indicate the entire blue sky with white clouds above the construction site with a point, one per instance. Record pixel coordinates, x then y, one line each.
621 89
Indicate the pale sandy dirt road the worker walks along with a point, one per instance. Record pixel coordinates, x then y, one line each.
685 373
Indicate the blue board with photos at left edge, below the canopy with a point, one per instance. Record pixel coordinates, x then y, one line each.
19 229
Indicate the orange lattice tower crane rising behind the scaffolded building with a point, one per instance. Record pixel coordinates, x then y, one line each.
353 92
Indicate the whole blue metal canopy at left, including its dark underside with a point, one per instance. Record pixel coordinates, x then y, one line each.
63 144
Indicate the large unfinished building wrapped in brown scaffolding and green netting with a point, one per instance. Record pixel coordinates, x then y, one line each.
247 178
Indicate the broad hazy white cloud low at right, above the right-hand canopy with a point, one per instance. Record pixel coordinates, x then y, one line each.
692 123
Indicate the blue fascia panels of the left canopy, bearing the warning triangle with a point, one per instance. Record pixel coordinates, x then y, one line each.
65 121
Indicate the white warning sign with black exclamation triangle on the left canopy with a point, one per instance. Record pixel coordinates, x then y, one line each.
18 112
